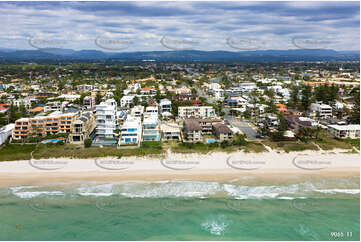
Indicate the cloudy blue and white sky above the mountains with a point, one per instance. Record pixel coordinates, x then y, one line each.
160 26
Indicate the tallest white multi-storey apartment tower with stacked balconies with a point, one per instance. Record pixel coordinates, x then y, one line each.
106 119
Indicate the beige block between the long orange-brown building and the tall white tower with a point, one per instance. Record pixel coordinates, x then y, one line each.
82 128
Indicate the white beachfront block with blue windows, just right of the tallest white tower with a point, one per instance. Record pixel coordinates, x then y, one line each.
131 131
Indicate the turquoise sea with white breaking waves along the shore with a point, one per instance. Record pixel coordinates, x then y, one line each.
182 210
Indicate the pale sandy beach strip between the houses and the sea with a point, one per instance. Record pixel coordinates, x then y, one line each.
210 167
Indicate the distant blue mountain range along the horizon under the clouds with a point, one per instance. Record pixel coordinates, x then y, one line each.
51 55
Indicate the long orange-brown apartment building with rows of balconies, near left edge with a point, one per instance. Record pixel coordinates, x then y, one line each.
40 126
